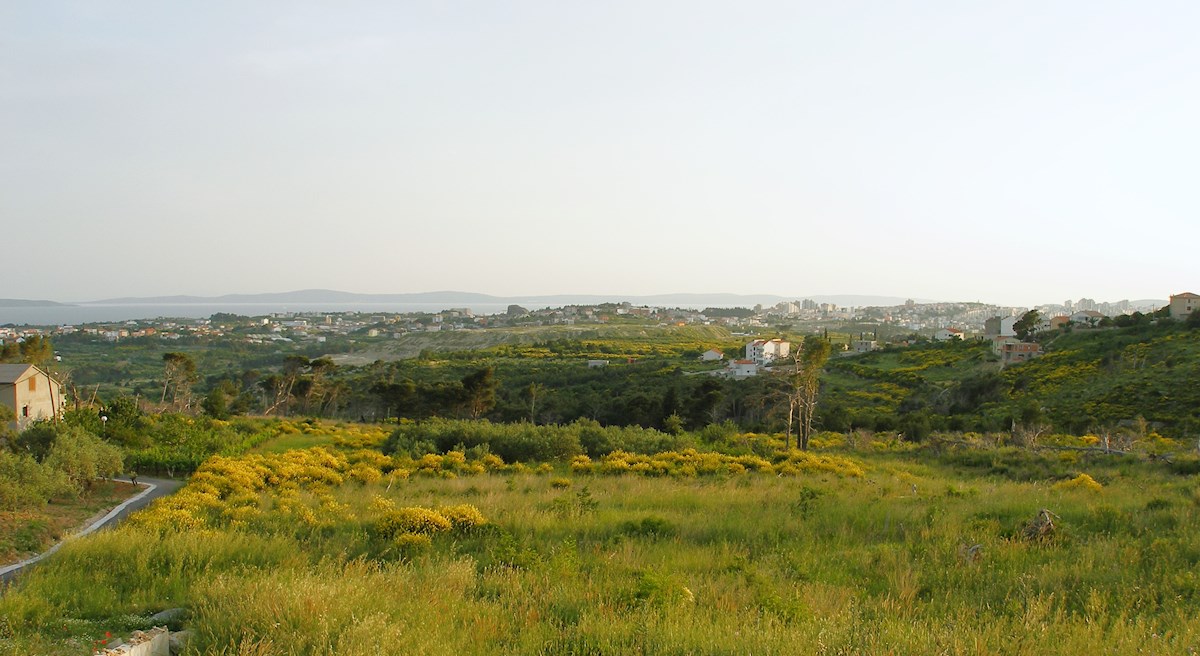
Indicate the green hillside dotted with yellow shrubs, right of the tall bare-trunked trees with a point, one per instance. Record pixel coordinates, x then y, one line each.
1088 381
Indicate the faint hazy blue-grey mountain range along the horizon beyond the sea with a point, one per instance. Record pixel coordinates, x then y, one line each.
469 298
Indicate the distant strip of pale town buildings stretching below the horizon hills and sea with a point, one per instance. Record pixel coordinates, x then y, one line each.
871 327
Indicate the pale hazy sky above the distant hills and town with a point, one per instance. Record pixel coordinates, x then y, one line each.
1015 153
